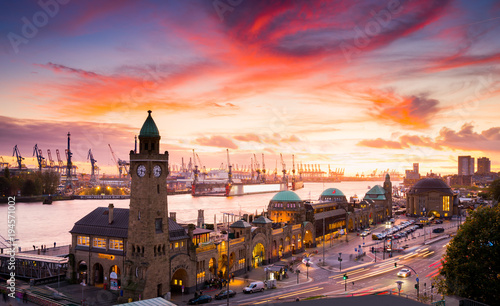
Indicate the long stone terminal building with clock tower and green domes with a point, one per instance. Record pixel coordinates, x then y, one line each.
145 253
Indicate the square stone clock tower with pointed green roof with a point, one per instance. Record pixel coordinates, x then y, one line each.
147 257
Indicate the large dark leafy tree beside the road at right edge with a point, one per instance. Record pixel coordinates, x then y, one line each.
471 266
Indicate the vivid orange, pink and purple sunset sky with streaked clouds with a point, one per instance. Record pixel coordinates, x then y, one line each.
360 85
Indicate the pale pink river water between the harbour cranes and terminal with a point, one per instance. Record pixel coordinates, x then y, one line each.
38 224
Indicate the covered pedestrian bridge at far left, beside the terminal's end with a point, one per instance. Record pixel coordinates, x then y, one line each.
39 268
